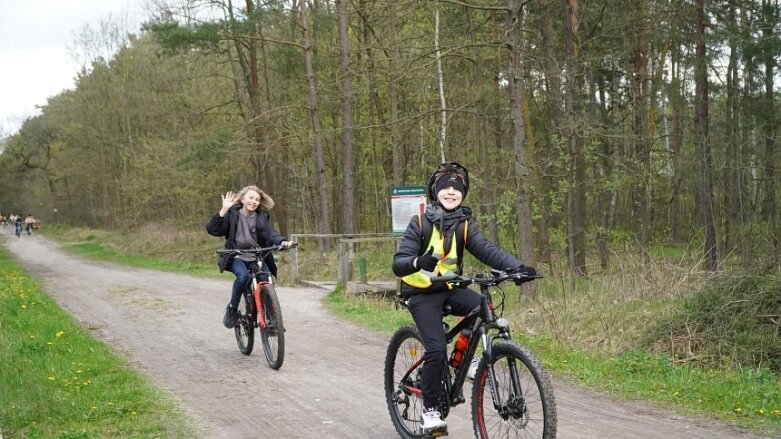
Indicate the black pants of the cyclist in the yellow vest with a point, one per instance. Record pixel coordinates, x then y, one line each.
426 310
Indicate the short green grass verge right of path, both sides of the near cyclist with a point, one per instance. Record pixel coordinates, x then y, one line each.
749 398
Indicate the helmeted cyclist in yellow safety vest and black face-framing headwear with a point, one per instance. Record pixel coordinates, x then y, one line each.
420 258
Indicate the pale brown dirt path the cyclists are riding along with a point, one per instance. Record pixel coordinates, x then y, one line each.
330 386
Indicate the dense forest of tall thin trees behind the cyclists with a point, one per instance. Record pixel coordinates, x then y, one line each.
586 126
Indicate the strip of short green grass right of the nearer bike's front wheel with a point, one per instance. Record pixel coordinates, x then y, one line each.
746 397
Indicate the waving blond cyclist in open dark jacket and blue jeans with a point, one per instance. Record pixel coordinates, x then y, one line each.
244 222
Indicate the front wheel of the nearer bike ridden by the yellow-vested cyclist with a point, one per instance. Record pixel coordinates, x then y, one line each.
527 407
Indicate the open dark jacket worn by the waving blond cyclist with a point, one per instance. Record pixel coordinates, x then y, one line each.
226 226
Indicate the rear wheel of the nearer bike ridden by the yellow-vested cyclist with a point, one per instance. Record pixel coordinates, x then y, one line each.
403 365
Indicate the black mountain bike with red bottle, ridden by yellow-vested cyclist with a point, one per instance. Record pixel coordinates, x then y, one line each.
512 395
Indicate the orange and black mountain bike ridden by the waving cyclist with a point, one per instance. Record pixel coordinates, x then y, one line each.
259 308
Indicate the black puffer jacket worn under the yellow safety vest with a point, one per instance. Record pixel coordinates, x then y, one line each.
476 244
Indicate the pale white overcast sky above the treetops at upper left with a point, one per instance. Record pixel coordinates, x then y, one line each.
35 60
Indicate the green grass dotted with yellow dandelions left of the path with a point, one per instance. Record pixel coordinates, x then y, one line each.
56 381
